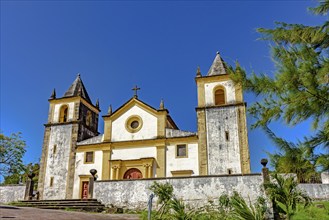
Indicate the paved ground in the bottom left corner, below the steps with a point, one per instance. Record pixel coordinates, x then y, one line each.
26 213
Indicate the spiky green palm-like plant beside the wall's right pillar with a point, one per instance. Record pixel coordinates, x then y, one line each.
284 193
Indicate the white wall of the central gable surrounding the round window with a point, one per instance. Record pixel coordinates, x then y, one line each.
148 130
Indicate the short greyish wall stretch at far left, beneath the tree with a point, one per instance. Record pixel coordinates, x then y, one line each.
11 193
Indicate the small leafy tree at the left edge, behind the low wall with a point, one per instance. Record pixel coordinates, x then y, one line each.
12 149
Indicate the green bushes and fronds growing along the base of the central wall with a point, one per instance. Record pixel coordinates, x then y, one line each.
234 207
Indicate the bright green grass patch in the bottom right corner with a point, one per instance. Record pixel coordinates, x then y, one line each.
313 212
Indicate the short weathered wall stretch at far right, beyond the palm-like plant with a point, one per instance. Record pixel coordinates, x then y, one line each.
316 191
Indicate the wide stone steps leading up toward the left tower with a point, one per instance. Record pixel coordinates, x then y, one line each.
89 205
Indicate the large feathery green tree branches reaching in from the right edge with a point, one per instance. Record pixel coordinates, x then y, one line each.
299 89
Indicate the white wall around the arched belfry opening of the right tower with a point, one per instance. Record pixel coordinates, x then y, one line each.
229 89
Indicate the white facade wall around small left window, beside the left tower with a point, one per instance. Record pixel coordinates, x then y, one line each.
83 169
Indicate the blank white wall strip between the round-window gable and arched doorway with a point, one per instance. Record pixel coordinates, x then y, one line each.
133 153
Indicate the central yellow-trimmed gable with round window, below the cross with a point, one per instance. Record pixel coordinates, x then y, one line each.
136 120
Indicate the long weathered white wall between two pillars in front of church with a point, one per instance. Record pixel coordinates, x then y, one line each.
195 191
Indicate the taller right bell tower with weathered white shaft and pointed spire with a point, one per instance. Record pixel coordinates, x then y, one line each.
221 117
